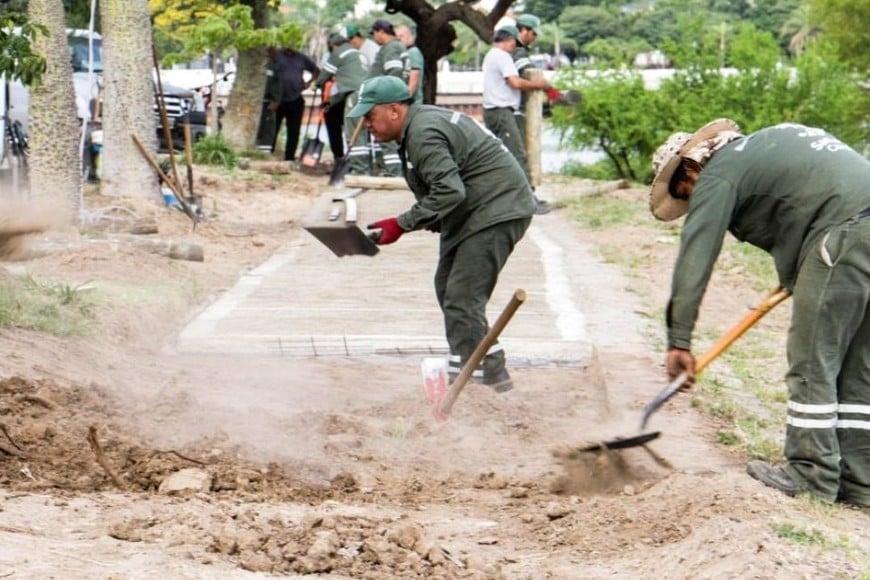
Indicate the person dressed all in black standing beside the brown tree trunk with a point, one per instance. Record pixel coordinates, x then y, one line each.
289 67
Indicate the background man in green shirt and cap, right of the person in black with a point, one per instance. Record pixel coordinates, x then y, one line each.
348 67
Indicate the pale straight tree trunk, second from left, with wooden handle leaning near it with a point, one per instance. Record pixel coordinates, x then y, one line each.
128 99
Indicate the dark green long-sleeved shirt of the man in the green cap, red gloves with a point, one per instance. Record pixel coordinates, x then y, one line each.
462 176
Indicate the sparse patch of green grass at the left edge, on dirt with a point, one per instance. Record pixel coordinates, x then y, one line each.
56 308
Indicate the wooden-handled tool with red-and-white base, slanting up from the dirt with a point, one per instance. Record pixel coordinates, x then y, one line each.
440 396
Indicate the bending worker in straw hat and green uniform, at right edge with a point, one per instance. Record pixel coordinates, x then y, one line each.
803 196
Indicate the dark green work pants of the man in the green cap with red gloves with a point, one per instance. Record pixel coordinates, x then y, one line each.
464 281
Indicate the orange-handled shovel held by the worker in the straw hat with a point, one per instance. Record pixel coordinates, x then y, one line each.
776 296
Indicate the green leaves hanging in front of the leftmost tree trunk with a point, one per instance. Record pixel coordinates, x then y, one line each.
17 59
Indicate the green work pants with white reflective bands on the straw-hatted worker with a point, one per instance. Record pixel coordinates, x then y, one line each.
827 441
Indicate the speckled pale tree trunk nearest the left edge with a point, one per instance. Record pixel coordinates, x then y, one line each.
55 164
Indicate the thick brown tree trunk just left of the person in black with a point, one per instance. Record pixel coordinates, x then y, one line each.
242 115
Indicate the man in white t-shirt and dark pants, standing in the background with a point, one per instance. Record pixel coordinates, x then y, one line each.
502 89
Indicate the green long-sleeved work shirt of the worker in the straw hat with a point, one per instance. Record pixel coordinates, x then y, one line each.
779 189
